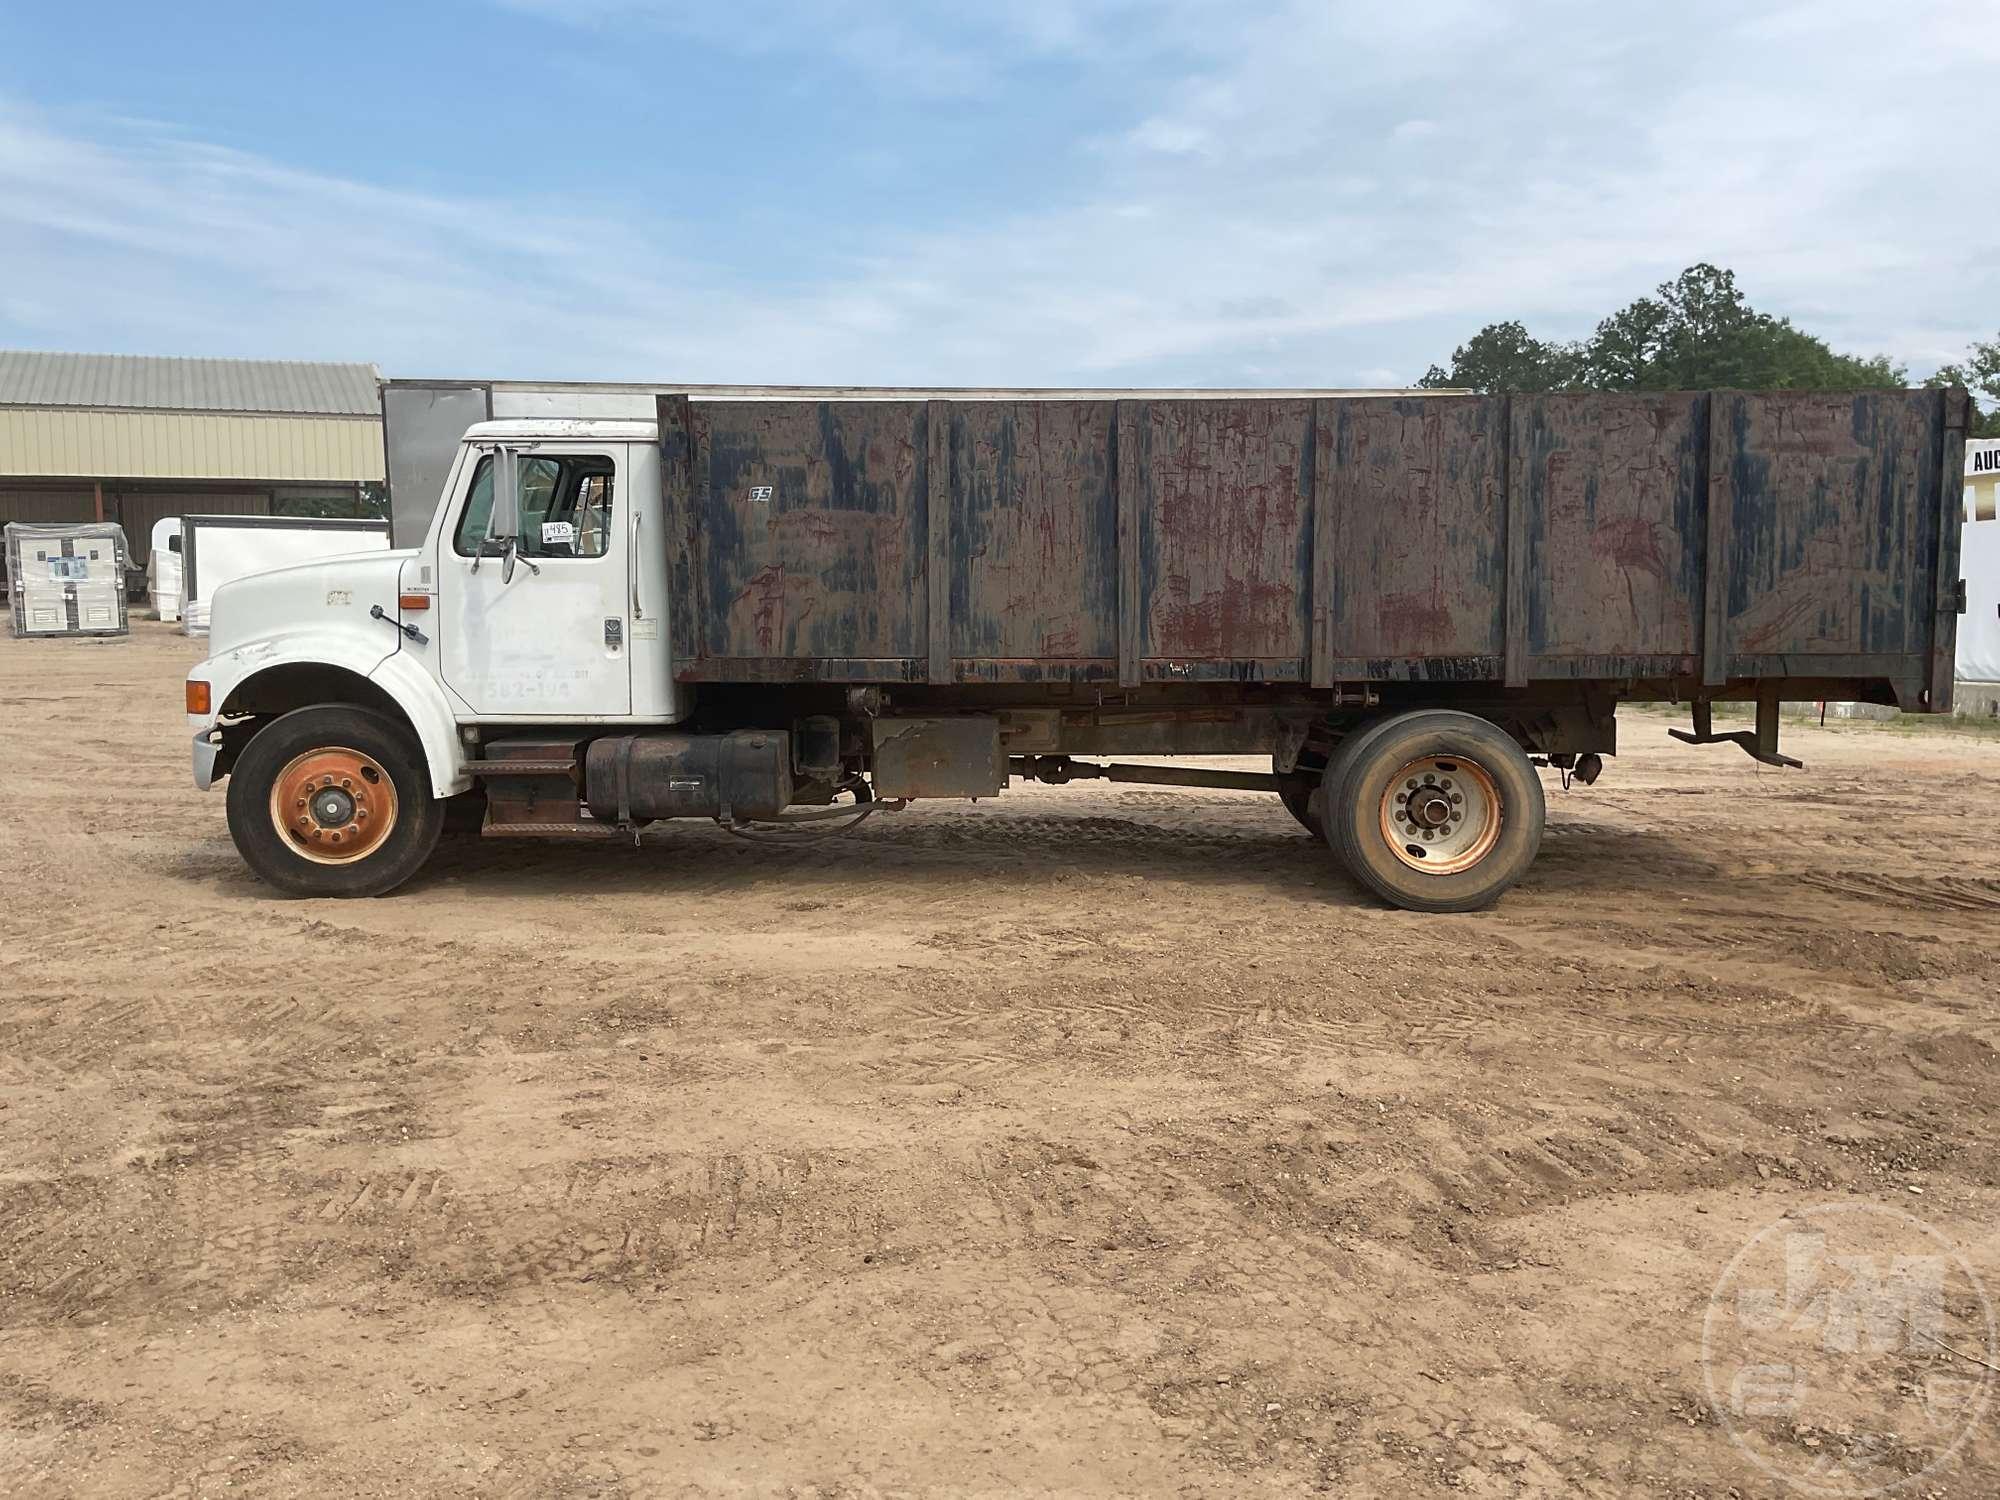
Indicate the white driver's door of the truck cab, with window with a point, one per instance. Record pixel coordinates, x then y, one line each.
555 639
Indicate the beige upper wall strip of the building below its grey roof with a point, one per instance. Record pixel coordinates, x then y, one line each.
47 441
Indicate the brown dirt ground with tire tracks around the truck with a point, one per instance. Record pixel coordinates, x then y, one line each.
1085 1143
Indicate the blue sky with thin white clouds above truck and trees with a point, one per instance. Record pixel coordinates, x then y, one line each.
1027 193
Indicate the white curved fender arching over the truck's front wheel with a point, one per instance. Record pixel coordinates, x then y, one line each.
361 655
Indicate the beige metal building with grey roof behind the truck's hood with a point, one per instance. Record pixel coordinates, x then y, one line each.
133 439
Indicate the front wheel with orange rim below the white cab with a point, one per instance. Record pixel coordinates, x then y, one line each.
333 801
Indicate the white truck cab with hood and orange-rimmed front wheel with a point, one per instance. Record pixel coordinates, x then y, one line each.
545 611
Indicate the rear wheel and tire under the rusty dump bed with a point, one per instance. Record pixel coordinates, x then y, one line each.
1437 811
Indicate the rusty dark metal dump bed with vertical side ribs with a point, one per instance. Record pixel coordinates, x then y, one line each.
1675 543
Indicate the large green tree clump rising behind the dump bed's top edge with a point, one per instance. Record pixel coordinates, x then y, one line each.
1693 333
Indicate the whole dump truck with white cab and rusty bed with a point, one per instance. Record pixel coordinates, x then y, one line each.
789 613
